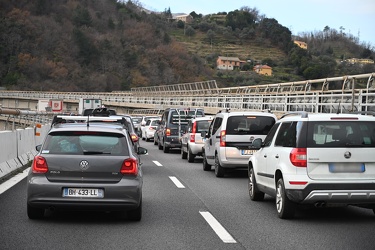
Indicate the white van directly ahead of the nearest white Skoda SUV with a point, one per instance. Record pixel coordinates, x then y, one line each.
228 144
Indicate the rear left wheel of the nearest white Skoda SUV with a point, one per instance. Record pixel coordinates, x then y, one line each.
285 208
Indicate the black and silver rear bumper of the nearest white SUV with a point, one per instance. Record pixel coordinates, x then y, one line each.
341 193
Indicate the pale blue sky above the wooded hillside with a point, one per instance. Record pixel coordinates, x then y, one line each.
356 17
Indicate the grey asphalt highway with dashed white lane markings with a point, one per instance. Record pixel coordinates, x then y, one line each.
185 207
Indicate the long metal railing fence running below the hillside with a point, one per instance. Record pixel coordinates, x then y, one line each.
311 96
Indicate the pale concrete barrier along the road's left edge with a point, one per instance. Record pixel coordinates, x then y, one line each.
17 148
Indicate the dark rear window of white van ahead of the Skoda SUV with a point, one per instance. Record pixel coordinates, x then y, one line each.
249 125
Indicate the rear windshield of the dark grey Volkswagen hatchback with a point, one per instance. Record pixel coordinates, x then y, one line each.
85 143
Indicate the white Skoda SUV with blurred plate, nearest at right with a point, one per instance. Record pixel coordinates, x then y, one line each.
316 159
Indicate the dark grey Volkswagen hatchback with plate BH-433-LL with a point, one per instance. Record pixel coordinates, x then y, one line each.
86 167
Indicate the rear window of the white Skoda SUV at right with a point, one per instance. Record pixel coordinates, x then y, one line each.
341 134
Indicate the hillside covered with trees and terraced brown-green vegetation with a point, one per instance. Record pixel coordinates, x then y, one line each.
109 45
